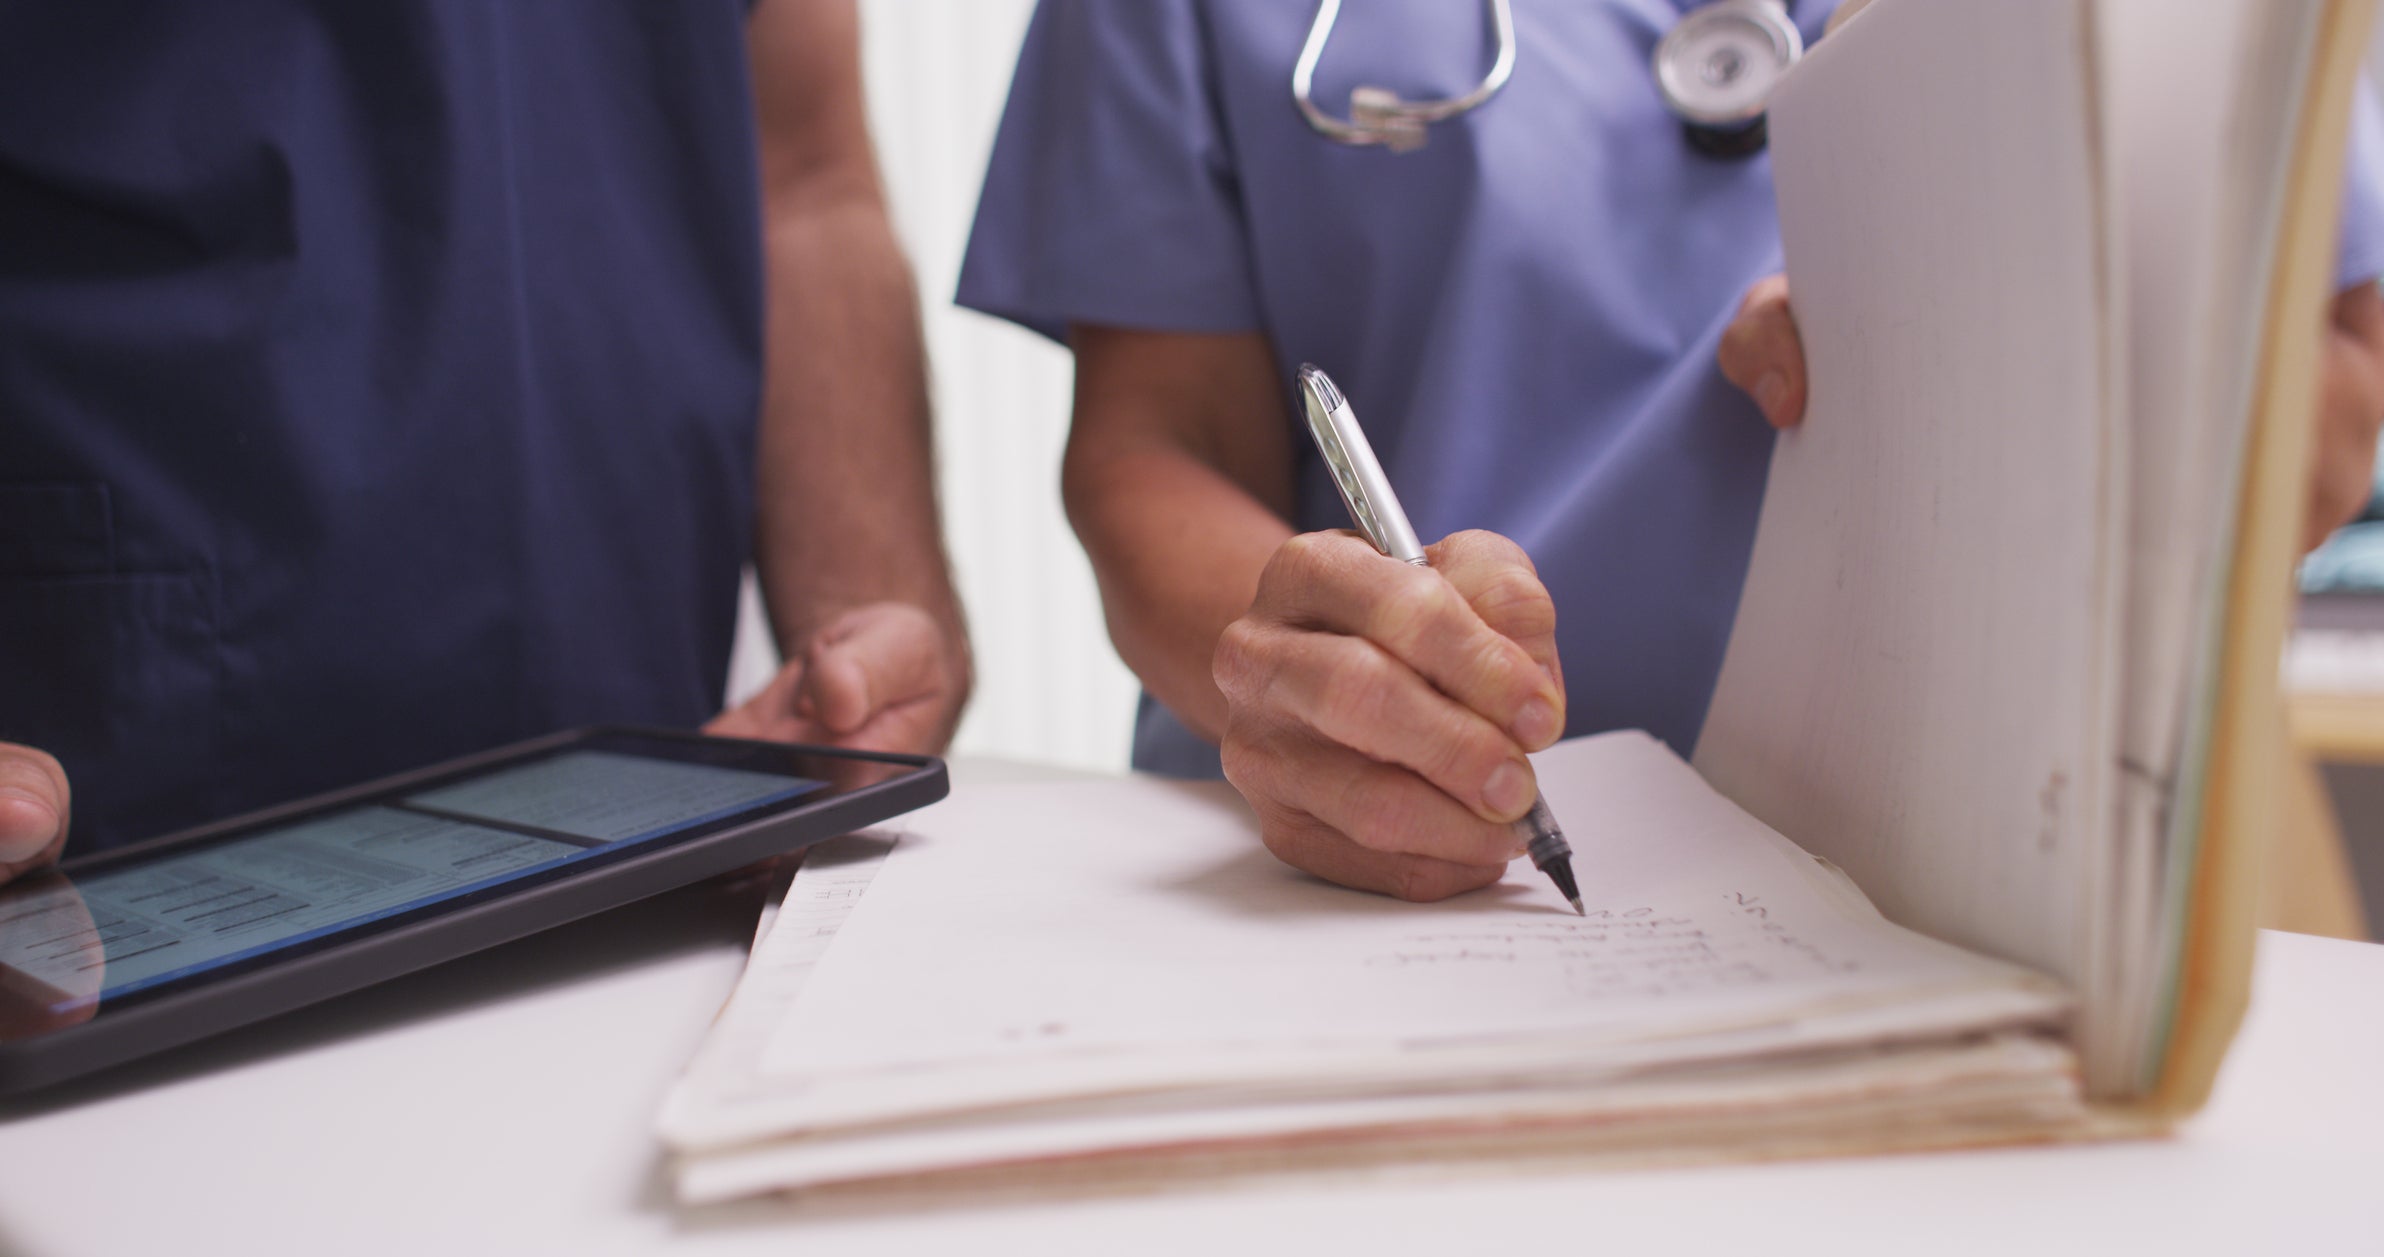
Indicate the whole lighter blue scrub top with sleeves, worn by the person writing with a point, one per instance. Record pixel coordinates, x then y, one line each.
1525 314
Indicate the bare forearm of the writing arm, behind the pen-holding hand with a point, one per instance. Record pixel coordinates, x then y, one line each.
1179 552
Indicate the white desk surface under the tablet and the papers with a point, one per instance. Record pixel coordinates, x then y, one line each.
504 1106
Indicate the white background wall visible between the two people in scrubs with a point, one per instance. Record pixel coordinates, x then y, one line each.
1050 688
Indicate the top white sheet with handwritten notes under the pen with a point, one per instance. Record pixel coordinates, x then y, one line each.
1029 941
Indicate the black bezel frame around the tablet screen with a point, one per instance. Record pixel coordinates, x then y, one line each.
862 788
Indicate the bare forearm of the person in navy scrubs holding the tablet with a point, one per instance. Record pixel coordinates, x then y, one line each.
848 509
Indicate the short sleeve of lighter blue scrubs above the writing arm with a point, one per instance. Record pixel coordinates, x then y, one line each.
1112 194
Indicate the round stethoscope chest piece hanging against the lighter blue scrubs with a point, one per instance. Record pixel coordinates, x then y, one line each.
1718 70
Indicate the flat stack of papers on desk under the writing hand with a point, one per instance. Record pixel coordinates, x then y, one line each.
1115 982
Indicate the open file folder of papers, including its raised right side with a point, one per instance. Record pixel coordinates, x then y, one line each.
2006 660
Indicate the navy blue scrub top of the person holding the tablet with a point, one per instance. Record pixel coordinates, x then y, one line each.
378 383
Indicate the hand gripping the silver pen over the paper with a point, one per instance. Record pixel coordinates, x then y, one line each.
1382 712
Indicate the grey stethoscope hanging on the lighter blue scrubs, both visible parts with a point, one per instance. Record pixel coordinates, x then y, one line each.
1715 70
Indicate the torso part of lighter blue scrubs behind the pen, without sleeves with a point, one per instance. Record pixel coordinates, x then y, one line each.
1525 316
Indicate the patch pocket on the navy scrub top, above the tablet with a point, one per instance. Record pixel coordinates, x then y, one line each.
116 674
